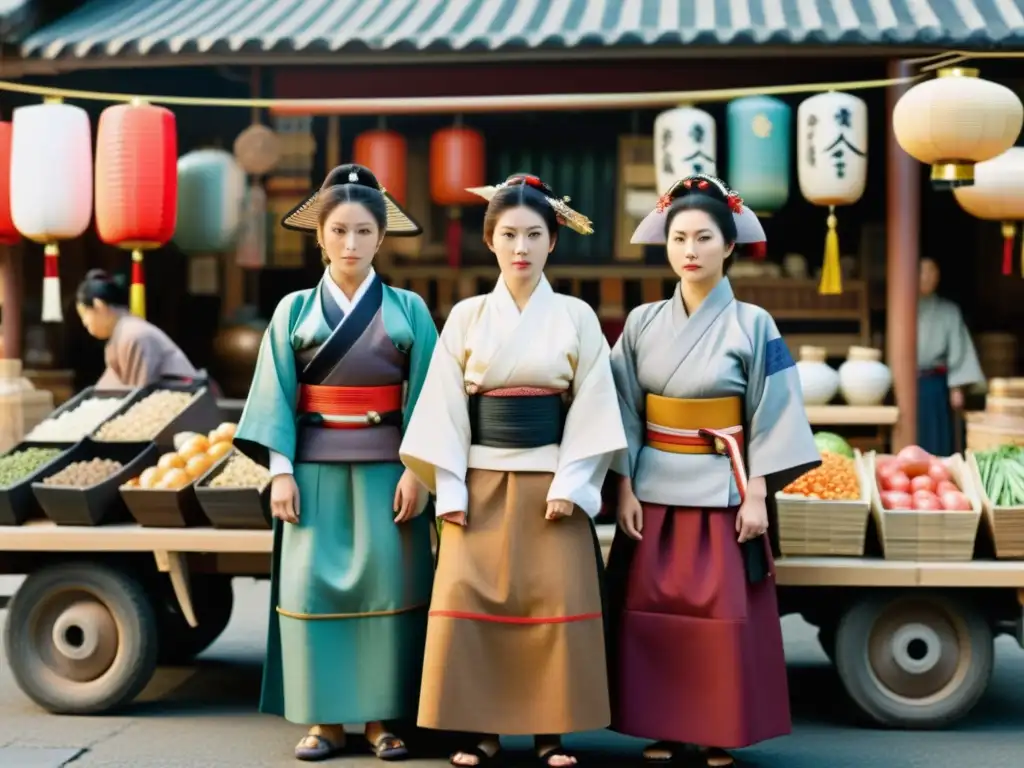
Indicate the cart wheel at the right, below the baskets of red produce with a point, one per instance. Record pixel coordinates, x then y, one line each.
920 660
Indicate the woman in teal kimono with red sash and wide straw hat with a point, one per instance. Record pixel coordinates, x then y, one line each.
339 372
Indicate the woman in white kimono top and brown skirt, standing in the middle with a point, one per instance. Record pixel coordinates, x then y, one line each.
515 433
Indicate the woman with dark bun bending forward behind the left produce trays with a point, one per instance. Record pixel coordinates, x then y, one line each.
138 353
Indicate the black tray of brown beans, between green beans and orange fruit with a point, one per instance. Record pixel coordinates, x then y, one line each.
101 503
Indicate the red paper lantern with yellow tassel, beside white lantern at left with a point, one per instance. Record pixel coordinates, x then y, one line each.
137 185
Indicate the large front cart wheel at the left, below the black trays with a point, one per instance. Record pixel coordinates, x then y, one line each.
81 638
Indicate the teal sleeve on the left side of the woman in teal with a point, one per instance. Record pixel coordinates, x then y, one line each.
268 422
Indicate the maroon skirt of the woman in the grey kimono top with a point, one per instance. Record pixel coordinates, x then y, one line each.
696 651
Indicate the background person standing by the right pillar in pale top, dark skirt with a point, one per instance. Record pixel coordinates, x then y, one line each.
948 364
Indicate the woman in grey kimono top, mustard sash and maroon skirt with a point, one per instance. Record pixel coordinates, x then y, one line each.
715 420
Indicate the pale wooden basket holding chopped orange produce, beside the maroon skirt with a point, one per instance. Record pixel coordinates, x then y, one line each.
818 527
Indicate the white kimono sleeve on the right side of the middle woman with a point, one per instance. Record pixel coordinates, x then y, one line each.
593 432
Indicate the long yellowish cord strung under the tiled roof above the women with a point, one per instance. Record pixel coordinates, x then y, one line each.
426 105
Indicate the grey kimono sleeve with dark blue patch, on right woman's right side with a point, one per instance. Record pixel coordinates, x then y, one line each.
781 445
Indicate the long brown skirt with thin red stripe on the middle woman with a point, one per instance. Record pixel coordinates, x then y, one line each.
516 639
